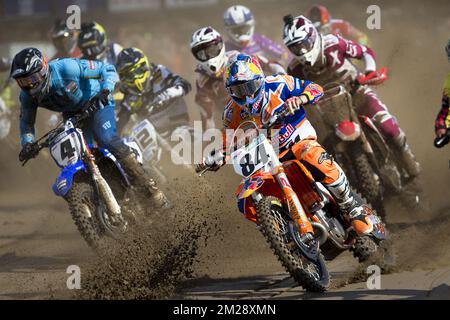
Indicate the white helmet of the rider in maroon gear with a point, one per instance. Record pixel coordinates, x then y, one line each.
302 39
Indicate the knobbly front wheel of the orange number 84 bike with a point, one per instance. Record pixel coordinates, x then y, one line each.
304 262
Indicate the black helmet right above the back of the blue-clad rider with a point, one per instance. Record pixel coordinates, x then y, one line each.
92 40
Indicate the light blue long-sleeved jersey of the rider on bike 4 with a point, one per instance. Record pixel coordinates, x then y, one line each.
73 82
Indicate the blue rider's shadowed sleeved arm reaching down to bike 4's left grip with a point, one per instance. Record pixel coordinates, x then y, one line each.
28 110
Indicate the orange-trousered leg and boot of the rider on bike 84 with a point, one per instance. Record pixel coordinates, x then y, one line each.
325 170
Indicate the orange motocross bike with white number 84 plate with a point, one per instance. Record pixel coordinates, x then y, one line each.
289 206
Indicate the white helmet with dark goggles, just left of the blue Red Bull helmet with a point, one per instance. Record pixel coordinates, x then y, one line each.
207 47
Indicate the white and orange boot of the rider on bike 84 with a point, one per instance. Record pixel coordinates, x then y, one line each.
357 212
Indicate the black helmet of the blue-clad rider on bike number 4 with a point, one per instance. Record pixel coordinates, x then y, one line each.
30 69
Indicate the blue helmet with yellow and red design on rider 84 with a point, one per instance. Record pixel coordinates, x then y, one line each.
244 81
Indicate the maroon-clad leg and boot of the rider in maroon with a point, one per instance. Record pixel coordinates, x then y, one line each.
371 106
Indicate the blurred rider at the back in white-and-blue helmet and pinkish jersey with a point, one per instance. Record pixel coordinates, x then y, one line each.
240 26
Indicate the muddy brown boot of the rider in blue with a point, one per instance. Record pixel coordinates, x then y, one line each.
142 179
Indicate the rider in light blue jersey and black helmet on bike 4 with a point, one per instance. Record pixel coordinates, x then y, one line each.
66 85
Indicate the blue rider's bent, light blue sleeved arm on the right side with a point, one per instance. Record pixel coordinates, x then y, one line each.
104 72
